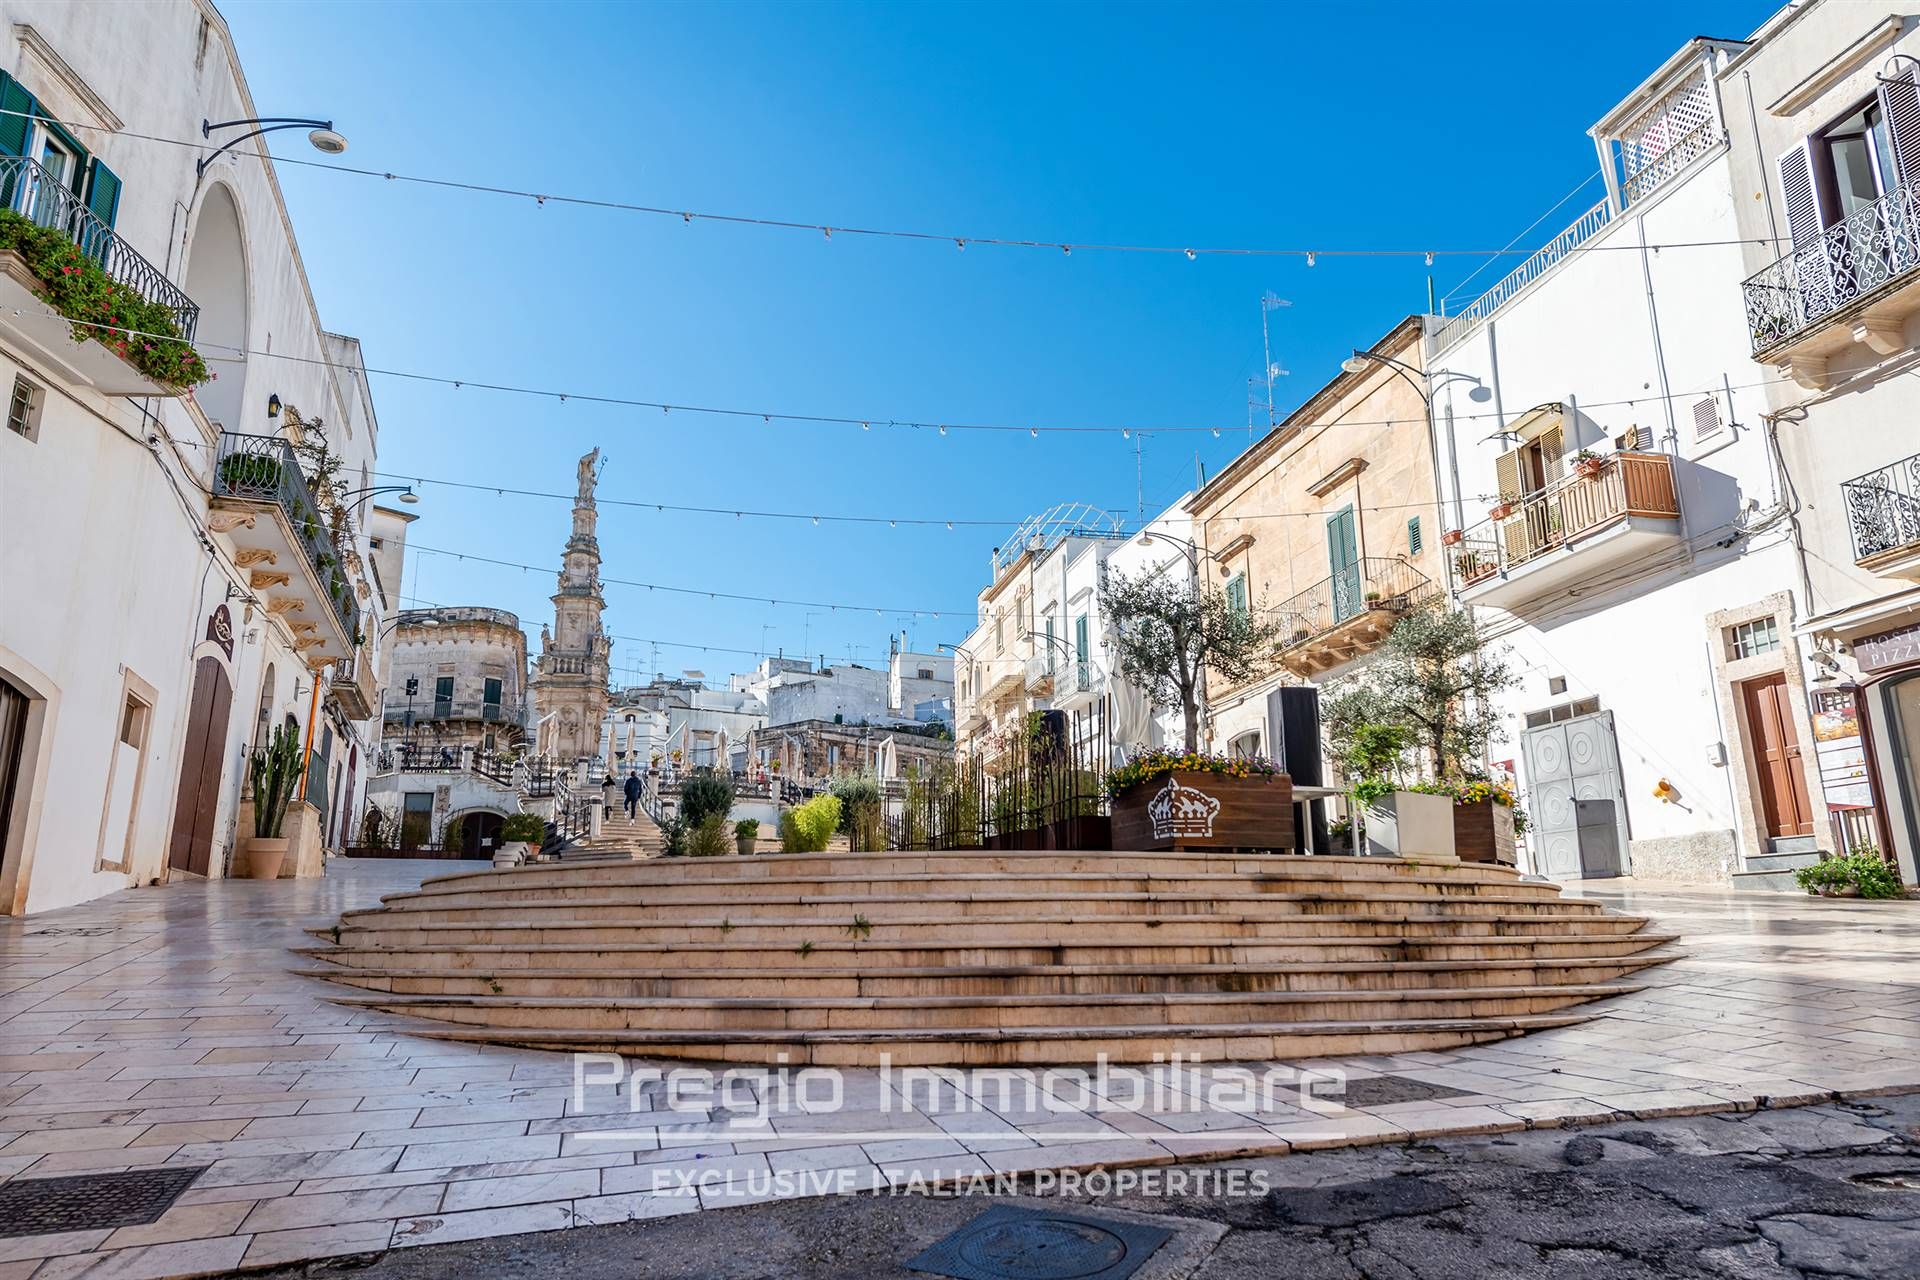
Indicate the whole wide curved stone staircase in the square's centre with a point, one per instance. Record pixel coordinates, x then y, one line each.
988 959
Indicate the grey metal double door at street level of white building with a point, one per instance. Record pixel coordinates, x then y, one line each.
1579 807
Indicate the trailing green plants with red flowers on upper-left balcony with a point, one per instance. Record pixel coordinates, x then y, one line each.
80 291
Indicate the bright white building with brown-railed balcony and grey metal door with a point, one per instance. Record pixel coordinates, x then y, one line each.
1650 604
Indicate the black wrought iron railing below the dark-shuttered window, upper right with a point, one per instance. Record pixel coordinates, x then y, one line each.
1869 249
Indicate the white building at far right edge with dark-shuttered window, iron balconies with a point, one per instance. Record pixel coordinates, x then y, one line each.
1827 153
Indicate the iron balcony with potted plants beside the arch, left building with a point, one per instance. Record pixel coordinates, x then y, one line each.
258 479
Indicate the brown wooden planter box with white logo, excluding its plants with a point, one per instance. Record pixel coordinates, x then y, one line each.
1207 811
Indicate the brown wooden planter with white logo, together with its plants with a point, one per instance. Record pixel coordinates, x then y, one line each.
1180 801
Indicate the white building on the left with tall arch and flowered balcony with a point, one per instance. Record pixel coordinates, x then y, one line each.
172 588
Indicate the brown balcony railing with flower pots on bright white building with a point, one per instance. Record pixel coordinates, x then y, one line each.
1568 510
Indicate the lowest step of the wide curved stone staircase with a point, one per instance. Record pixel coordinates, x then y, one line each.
1020 1047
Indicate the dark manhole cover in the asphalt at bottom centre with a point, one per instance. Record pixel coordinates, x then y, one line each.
1026 1244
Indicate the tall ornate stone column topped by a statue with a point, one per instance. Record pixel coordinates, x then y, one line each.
575 655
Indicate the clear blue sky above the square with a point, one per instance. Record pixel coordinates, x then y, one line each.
1333 126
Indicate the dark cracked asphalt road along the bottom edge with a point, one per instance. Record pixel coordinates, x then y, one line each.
1794 1195
